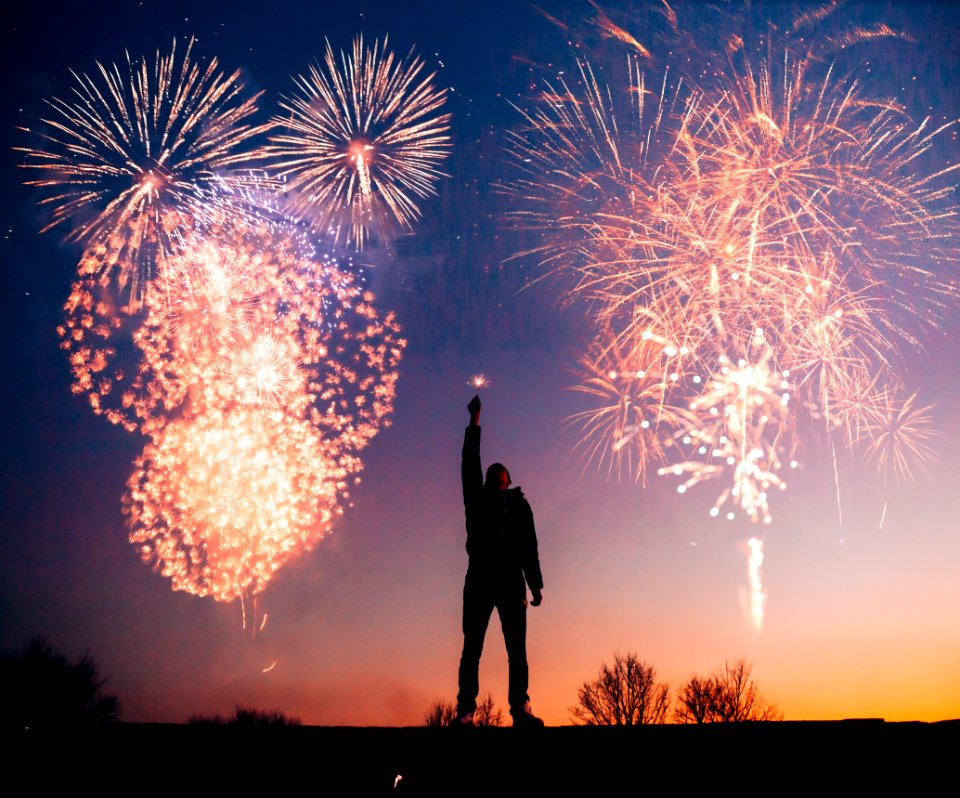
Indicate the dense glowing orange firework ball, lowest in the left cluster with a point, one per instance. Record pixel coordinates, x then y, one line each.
219 502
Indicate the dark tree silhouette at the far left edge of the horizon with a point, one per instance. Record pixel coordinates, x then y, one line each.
45 689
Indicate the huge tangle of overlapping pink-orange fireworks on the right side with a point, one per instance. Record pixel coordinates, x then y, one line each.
771 197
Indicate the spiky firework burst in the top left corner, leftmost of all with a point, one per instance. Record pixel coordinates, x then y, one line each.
126 159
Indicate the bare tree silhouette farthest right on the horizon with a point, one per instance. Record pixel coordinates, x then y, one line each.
727 696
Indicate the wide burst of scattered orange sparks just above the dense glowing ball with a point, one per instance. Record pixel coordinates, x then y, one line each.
239 317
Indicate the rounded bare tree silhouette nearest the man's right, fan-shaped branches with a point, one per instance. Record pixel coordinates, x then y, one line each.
626 694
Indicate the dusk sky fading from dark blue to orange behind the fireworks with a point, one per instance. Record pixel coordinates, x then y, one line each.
861 621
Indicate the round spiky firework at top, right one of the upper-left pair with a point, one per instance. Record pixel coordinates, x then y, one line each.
362 142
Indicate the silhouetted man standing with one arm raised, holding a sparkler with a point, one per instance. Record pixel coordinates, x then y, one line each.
502 550
